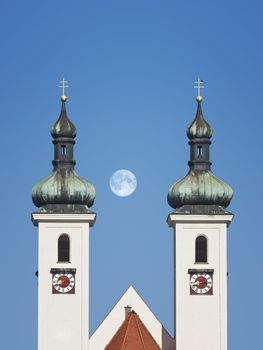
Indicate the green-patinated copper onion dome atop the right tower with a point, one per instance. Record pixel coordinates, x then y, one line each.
200 191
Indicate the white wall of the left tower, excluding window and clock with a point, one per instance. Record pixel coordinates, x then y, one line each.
63 318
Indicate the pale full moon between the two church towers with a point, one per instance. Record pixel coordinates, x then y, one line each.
123 183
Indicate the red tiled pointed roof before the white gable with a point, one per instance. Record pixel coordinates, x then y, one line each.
132 335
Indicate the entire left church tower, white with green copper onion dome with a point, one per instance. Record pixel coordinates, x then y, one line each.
63 220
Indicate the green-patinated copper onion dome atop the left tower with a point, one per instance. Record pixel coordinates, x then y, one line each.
63 191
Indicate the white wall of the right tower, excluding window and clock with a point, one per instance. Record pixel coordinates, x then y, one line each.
200 320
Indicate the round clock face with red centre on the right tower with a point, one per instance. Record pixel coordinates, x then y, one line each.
201 283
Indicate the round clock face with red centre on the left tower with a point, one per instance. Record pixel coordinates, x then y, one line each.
63 282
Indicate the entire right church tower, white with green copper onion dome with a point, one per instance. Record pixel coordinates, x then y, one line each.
200 222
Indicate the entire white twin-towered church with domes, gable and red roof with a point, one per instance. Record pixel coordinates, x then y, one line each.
199 222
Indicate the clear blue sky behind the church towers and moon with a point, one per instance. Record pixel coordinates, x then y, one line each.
131 67
